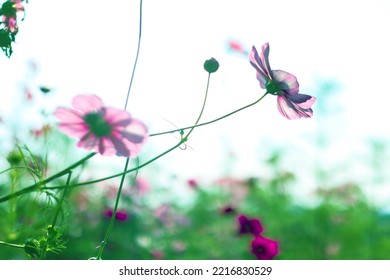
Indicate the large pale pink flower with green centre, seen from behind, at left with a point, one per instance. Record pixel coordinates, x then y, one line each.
103 129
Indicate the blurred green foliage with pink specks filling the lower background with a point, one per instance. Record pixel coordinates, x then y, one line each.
342 224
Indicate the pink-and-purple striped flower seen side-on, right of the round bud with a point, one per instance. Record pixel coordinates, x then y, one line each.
291 104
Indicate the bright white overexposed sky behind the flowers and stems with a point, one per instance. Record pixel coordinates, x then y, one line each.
89 47
